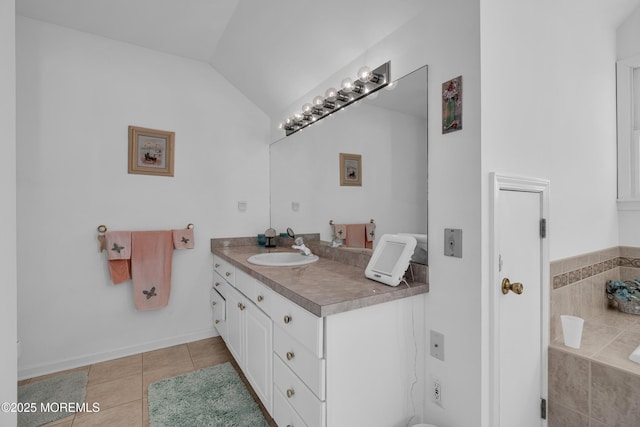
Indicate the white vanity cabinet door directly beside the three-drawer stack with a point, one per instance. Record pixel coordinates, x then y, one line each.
258 353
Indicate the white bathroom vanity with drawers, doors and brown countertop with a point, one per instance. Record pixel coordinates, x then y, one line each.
321 345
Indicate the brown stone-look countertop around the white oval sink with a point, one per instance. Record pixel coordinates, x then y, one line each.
324 287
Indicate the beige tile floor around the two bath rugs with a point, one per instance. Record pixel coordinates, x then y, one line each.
120 385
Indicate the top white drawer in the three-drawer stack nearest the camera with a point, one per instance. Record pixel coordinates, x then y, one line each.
299 323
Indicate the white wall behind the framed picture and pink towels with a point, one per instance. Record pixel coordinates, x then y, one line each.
77 94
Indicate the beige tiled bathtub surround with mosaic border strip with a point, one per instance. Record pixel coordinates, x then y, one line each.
595 385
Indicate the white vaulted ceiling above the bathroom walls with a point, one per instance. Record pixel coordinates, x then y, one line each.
273 51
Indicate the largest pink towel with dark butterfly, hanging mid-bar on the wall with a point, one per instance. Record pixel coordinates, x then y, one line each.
151 256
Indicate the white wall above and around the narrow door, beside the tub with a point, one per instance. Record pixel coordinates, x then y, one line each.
549 111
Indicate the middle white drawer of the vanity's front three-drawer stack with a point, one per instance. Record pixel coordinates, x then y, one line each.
301 361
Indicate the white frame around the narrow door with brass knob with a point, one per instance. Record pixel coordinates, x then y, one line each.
500 182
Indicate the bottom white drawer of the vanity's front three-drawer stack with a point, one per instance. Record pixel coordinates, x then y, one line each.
306 404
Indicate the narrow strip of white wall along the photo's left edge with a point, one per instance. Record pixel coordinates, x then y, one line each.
8 302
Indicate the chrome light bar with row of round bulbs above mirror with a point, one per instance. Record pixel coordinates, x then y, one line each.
367 82
